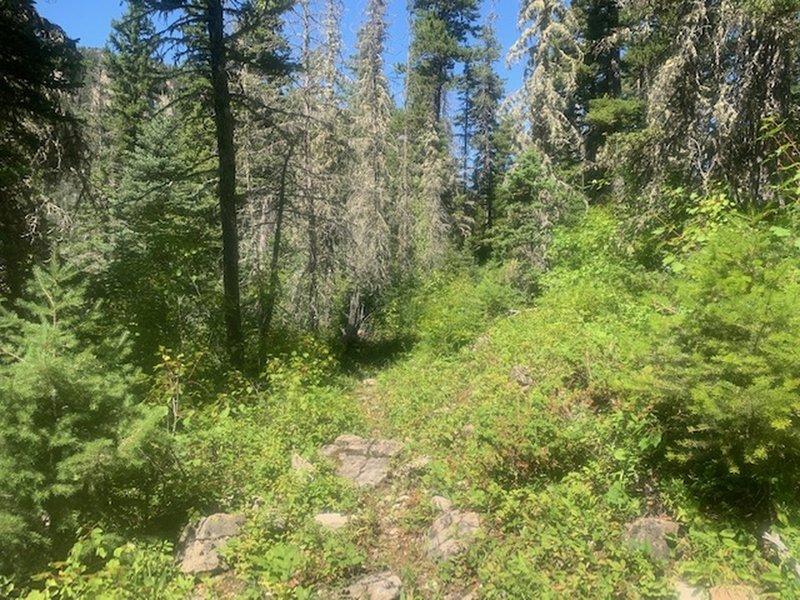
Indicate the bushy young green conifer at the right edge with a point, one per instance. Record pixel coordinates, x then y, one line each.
726 370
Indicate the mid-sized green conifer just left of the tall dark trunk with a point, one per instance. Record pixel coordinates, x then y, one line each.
163 265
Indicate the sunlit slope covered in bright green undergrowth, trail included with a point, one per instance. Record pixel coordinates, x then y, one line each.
560 435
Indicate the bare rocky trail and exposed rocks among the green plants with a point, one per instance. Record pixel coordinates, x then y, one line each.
388 477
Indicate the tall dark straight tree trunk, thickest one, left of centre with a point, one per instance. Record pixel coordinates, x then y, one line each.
223 120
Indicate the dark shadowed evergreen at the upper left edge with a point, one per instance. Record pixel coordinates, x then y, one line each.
38 137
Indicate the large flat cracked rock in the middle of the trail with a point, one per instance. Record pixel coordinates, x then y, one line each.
362 461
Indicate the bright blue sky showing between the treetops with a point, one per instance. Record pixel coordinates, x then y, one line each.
90 22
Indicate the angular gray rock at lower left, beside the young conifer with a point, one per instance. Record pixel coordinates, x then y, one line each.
199 546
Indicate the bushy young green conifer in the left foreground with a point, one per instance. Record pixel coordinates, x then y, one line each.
74 444
